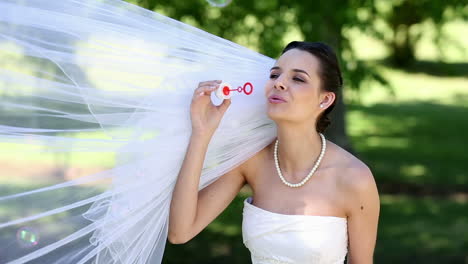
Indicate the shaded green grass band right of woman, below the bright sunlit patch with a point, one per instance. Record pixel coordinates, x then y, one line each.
418 143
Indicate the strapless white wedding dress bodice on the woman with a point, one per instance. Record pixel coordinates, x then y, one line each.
299 239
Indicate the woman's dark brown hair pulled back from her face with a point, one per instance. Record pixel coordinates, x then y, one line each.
329 72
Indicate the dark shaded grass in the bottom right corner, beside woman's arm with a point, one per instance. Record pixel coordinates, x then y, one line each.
422 230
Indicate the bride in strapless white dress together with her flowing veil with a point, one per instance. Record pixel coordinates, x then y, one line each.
93 79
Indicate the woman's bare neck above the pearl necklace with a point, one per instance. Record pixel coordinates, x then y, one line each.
298 149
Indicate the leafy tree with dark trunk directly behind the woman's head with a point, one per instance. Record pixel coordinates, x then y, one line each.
263 25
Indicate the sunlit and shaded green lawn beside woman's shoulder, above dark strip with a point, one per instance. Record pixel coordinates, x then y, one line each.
416 135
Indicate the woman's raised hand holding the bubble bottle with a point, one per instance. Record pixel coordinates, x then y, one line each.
204 114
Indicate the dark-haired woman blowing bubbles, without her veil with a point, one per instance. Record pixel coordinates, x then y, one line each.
310 197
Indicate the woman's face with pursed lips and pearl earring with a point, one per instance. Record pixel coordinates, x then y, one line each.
295 79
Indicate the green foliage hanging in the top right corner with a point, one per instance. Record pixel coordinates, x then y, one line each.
402 22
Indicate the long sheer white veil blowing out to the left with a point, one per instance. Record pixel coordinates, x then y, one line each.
87 78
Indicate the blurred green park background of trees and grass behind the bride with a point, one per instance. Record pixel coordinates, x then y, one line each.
404 111
